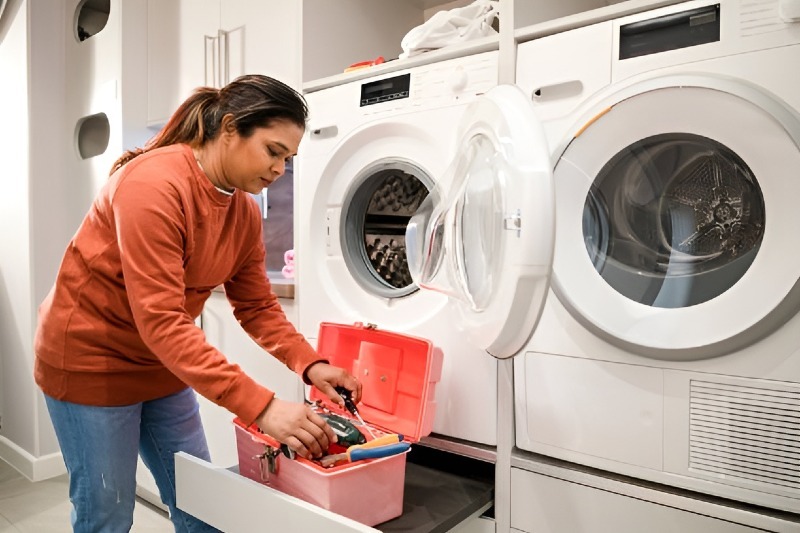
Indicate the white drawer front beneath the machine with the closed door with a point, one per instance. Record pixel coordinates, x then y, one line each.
554 497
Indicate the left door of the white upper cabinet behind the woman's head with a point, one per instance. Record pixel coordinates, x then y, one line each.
182 52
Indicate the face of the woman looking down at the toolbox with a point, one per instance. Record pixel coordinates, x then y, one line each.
253 163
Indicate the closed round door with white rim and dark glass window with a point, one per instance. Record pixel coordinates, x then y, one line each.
677 217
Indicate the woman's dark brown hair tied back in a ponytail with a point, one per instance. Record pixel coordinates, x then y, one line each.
254 101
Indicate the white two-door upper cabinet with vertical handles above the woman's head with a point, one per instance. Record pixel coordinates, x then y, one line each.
193 43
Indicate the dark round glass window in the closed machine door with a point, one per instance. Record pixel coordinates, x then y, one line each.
673 220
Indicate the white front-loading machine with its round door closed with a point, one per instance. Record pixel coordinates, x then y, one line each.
669 345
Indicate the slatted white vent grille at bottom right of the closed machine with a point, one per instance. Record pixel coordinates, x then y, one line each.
746 435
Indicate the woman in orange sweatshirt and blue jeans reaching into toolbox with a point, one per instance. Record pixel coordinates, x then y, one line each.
118 354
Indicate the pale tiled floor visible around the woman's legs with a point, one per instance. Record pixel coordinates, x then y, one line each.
44 507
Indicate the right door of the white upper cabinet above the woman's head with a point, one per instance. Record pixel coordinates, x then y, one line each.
262 37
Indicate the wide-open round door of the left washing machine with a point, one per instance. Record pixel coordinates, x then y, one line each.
489 245
